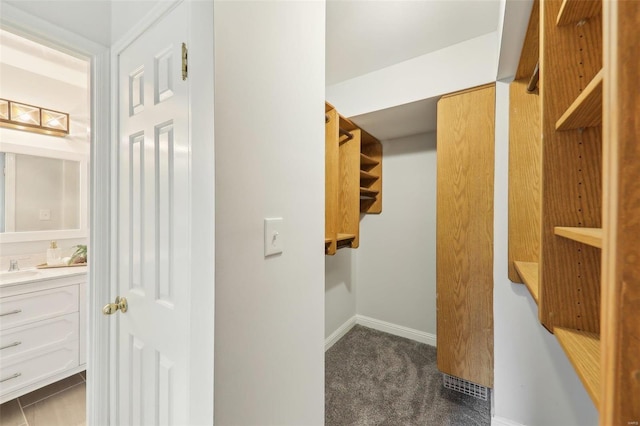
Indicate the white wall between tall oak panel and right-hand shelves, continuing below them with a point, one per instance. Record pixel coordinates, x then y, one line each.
534 383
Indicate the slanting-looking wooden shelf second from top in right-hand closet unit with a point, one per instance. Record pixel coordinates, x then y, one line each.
586 110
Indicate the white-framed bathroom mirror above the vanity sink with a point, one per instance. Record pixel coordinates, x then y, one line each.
43 192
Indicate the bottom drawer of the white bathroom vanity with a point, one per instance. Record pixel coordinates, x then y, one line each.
26 371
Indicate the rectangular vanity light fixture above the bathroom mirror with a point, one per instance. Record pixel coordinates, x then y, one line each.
16 115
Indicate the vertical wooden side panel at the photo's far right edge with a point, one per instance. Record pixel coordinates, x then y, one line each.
620 336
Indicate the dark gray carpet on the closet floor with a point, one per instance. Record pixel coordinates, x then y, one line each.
374 378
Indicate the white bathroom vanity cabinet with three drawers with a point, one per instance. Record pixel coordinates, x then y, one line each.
42 330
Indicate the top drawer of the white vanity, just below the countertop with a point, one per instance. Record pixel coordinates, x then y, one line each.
37 306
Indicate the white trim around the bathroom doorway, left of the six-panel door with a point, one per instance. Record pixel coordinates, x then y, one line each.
43 32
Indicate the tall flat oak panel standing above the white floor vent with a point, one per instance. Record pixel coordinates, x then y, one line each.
464 240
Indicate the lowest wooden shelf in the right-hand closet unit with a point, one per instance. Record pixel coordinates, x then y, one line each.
583 350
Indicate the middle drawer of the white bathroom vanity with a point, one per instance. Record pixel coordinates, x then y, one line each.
20 342
